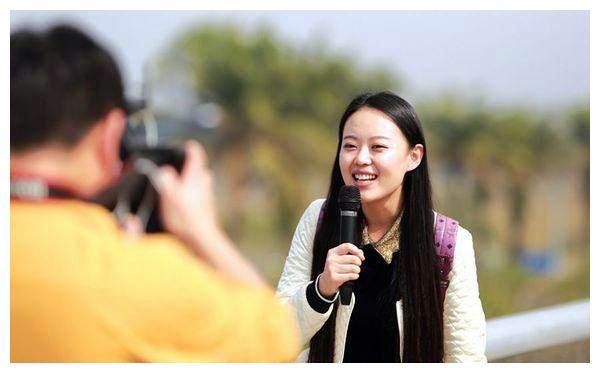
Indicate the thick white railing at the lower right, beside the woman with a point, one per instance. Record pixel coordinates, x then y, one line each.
534 330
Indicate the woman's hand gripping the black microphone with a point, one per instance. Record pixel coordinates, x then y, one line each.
342 264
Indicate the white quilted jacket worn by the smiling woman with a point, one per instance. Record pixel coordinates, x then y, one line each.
464 321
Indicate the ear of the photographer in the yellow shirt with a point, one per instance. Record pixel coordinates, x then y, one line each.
112 131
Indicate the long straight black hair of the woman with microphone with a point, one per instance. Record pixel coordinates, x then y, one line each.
415 278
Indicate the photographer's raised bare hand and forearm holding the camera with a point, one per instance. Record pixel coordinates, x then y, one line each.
188 211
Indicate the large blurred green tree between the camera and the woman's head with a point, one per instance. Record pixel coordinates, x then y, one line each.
282 105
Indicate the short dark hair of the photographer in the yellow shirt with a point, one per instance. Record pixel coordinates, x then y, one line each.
61 83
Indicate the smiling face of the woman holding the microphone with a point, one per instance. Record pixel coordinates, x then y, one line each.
375 155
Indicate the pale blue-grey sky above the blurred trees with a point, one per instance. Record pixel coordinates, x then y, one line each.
526 58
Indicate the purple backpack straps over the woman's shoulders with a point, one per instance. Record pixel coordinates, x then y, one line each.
445 242
